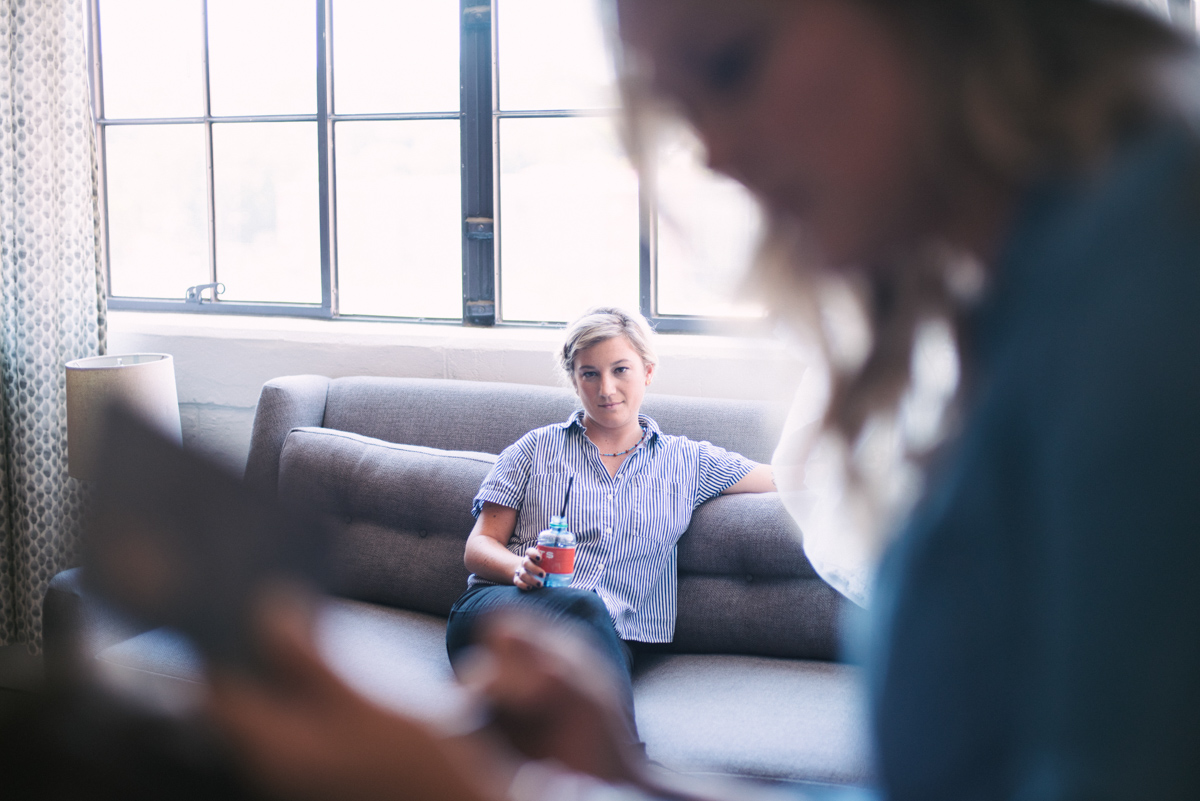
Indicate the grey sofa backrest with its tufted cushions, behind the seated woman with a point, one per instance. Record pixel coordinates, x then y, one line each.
746 586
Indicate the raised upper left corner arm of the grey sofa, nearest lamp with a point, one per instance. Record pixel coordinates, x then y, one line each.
285 403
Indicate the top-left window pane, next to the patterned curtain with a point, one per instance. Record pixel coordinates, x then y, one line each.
153 58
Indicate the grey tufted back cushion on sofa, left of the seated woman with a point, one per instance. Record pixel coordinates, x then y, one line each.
404 514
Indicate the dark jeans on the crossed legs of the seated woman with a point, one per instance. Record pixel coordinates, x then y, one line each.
580 609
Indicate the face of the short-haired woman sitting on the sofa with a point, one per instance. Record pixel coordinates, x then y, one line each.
611 381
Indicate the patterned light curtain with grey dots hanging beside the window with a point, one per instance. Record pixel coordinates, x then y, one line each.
52 300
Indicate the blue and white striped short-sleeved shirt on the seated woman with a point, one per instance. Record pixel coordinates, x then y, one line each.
626 526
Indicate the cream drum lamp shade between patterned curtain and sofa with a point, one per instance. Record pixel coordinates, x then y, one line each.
145 383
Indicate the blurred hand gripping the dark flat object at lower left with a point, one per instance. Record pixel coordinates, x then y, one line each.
308 736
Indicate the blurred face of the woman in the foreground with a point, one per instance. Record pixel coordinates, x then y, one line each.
812 104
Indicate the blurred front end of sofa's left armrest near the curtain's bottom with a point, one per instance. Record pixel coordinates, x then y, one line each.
76 627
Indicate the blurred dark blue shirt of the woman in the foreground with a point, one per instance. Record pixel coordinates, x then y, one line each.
1037 623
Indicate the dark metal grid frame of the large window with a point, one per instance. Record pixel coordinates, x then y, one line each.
479 116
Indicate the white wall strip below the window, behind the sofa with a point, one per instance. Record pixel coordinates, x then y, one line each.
221 363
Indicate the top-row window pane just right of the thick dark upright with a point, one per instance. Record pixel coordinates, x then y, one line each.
554 56
